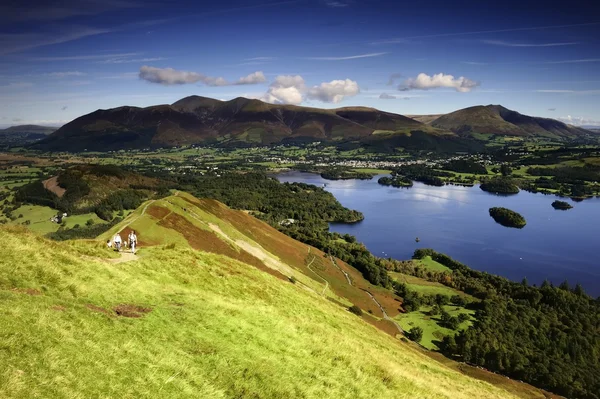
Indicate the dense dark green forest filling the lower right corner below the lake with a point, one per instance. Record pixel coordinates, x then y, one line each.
547 335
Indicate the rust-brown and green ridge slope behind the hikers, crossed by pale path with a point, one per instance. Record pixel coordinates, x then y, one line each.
187 221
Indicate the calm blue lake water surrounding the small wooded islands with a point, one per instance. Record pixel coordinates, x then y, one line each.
555 245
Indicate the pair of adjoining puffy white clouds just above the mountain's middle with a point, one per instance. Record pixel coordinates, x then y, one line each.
292 89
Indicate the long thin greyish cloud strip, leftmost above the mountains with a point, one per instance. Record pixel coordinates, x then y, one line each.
170 77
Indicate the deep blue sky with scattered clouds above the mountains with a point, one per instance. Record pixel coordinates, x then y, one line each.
62 59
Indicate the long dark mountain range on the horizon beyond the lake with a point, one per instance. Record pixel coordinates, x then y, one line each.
248 122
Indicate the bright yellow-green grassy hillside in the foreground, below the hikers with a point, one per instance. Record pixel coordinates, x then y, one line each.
217 328
